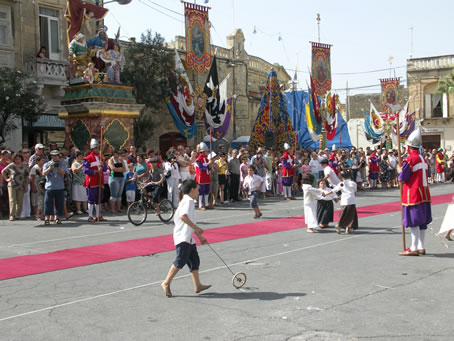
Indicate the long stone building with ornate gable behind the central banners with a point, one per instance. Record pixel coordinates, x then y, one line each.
246 84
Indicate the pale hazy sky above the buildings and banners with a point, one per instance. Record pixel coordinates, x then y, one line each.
364 33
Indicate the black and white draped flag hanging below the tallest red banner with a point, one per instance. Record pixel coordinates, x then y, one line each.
218 108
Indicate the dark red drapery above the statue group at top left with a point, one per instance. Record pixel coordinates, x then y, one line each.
77 12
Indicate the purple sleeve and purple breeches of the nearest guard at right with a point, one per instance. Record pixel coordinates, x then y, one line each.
415 215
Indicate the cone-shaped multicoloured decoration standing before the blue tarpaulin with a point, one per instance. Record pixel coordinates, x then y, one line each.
272 117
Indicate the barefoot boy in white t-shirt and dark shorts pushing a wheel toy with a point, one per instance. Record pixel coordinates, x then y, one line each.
184 242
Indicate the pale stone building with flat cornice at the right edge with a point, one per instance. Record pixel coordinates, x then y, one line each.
436 111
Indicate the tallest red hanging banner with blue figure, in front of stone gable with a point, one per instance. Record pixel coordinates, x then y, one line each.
197 29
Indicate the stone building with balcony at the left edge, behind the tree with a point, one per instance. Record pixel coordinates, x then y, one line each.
25 26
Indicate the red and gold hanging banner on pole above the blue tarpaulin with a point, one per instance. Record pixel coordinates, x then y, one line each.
321 68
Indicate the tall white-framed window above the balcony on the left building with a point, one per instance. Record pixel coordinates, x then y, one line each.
49 26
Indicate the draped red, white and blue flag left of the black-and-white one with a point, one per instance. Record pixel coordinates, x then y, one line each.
179 100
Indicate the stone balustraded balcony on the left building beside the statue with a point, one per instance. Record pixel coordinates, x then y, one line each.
47 72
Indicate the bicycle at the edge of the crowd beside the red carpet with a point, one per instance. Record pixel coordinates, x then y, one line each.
138 210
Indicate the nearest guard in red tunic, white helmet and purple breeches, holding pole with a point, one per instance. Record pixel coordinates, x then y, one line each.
417 213
